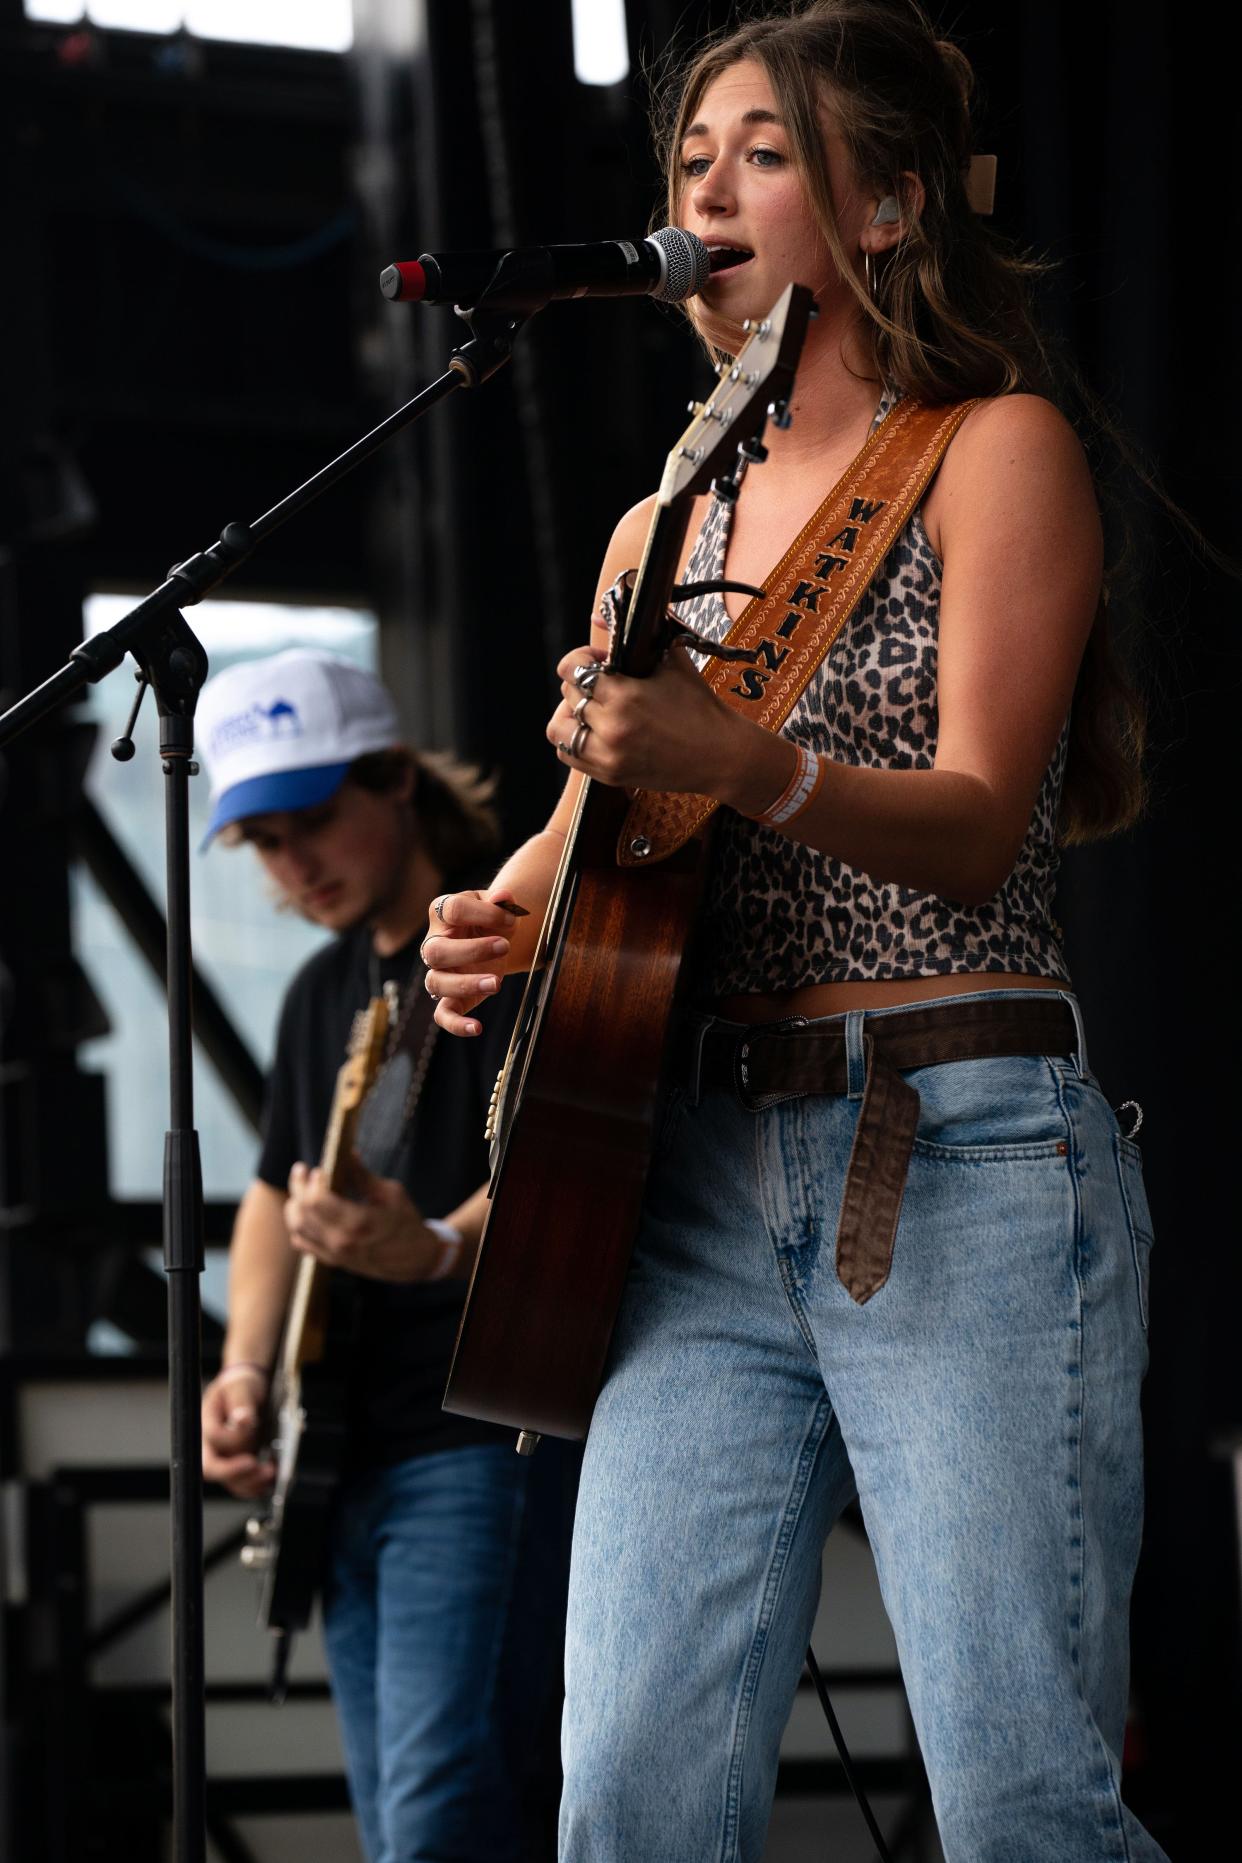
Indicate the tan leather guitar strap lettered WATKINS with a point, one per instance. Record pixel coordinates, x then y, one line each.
809 599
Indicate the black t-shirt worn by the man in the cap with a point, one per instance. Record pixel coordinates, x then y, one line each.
407 1333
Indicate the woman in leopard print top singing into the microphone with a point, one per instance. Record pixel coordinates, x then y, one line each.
949 1326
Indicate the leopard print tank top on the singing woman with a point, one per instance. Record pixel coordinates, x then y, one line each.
779 916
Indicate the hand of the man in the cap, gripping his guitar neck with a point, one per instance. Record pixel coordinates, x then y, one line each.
379 1232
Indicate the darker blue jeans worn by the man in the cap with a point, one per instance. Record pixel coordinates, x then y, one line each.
442 1618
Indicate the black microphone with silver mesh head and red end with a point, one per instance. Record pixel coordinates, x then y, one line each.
671 265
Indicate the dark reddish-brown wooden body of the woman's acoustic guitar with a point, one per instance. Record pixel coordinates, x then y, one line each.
573 1167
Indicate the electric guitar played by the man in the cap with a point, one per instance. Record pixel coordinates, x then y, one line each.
288 1543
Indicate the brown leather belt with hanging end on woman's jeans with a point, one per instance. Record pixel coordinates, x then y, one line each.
783 1061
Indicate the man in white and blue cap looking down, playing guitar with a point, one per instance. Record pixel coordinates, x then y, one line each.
444 1579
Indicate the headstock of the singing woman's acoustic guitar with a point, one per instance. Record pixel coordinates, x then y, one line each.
759 377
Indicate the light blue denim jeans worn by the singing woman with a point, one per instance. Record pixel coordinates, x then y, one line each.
982 1406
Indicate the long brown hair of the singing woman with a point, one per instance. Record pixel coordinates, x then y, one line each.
951 316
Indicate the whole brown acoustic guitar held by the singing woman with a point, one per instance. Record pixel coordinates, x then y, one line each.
571 1121
